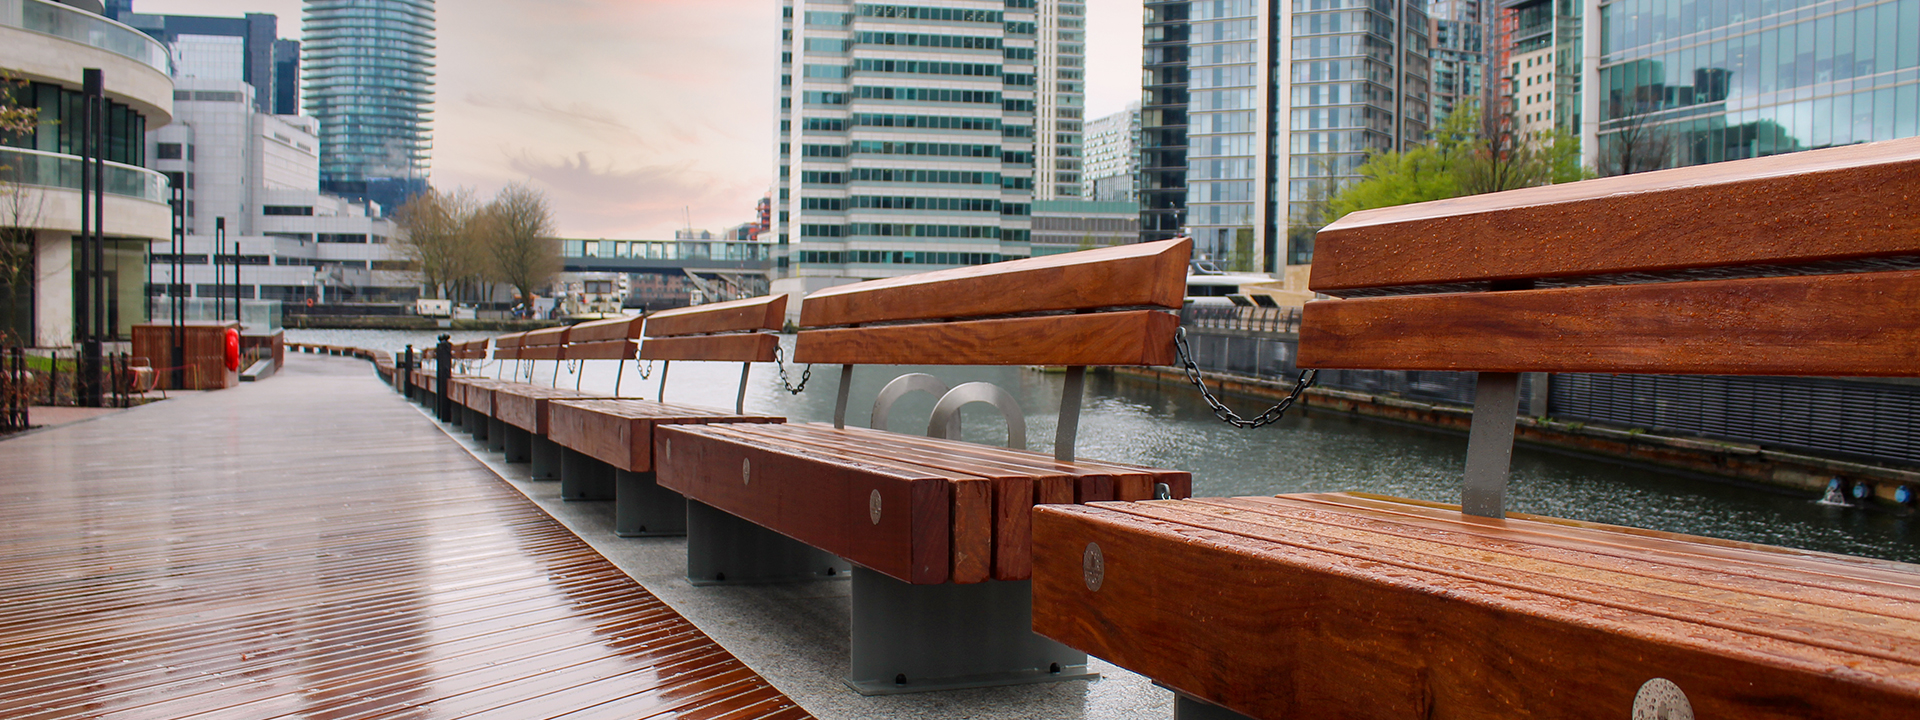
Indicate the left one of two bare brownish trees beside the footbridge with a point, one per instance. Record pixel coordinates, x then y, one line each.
439 239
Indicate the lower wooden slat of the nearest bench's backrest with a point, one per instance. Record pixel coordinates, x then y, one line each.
1794 325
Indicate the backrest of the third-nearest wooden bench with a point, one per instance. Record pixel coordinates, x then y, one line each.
738 331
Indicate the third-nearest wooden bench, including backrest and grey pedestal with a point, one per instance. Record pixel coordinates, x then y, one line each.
608 444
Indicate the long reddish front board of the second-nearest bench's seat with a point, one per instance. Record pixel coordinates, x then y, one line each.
817 502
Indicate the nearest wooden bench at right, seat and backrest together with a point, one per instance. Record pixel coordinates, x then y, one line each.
1376 608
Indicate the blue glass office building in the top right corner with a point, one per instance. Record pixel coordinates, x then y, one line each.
1700 82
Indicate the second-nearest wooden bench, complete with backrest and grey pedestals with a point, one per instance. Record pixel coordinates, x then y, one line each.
936 531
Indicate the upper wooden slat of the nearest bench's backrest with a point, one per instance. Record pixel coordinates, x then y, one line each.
1798 208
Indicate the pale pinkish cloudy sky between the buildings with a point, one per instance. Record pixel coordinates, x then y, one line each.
636 118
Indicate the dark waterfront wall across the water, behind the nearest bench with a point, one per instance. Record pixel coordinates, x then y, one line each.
1794 433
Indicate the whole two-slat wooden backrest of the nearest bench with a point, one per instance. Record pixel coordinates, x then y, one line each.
1802 264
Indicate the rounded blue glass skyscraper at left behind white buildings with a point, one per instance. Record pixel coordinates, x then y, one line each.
370 76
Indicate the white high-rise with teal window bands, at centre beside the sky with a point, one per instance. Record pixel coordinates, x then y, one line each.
919 135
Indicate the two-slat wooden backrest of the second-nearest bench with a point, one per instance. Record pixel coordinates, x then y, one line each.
1090 308
